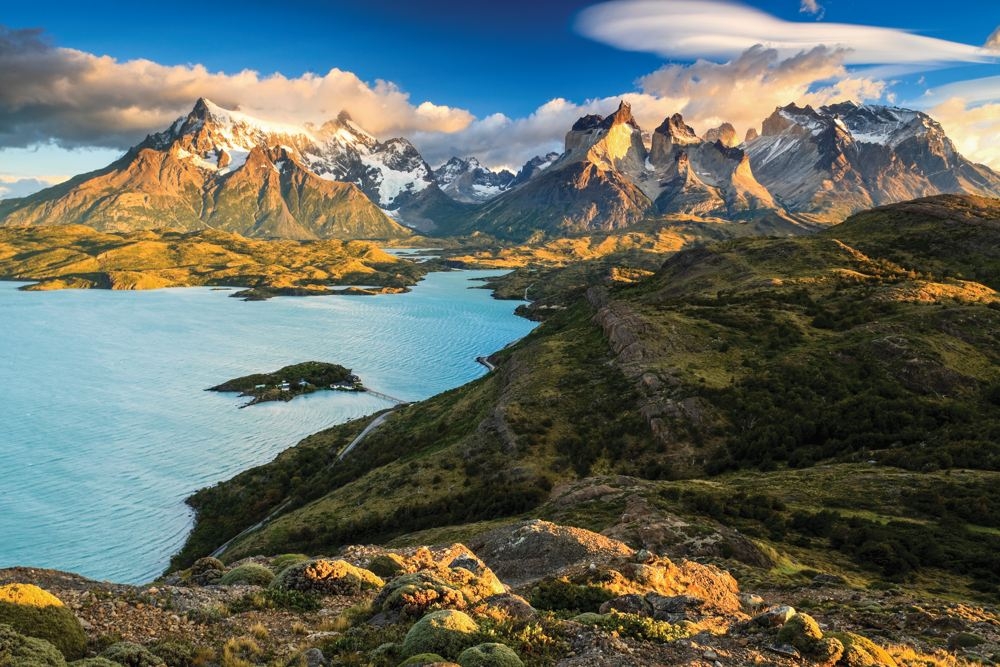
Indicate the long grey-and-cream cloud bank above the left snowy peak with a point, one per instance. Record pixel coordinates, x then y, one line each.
81 99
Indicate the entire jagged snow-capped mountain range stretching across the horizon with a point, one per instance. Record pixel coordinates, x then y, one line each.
218 168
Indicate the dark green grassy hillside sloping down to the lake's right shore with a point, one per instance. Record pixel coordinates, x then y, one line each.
820 398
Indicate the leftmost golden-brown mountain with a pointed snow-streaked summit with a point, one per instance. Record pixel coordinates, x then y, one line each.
214 168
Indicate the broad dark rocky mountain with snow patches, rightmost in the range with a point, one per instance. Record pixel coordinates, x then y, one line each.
824 164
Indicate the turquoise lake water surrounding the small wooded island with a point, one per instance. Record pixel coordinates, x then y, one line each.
105 427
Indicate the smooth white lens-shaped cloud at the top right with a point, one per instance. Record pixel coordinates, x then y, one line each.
724 29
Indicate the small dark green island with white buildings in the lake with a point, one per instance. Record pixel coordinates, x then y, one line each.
291 381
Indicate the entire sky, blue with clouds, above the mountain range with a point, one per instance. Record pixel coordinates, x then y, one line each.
81 82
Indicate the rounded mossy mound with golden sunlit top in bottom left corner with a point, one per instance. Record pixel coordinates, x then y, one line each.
34 612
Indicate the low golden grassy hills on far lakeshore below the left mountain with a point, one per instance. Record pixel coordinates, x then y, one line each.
81 257
